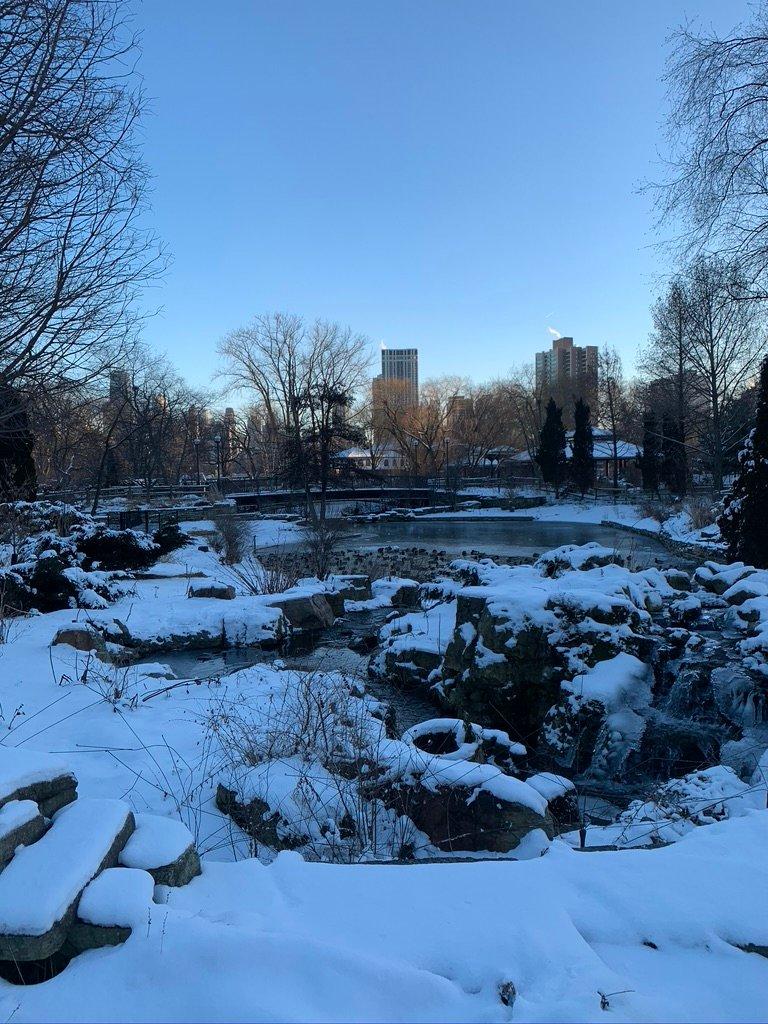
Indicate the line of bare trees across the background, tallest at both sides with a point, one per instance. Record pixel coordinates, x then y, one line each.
84 404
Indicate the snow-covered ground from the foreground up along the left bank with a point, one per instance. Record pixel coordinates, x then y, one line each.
643 935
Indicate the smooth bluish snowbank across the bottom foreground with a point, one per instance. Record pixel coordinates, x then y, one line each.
289 942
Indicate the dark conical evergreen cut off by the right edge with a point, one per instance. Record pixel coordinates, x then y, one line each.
743 520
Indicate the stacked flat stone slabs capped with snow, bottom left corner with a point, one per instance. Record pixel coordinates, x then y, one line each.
47 867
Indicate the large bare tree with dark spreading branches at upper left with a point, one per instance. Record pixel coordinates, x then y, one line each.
73 189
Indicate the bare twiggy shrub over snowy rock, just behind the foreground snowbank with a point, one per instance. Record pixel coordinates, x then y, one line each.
310 755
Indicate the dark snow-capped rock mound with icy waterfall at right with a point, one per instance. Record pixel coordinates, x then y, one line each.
593 664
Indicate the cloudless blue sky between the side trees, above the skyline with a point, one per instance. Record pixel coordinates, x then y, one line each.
457 176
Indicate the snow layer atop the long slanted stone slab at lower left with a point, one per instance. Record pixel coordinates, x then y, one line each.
58 867
